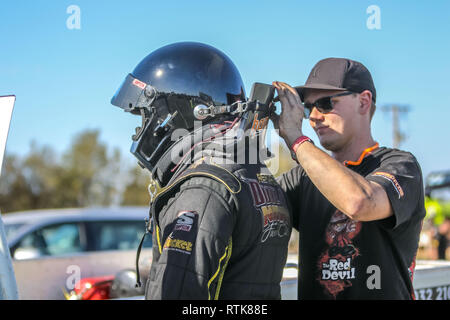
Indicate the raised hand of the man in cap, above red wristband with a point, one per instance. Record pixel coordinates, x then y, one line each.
289 122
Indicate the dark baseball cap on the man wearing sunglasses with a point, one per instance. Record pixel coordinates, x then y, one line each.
339 74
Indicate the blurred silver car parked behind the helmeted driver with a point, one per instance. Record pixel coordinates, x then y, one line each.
53 250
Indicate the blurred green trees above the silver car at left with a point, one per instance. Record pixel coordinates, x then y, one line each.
87 174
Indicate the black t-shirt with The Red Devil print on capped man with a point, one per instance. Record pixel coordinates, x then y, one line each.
340 258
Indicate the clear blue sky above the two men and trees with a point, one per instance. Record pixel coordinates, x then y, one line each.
64 79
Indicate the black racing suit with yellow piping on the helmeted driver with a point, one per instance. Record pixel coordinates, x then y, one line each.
220 232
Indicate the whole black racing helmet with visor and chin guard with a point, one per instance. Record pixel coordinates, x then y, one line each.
167 85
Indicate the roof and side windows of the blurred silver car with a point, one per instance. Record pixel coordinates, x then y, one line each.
40 233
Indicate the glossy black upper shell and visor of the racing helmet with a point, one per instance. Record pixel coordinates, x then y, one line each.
189 70
